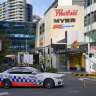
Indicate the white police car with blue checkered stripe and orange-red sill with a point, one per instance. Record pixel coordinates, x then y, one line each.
28 76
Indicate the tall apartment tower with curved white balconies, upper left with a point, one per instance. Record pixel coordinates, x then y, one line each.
15 10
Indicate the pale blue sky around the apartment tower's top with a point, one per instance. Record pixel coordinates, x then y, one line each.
39 6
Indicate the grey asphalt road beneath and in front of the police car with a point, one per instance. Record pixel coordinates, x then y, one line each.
73 87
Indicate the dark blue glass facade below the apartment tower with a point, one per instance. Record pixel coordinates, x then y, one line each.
20 34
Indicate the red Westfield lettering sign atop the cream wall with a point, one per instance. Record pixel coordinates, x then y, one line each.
61 12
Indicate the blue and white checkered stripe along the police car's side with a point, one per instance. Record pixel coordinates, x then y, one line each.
22 79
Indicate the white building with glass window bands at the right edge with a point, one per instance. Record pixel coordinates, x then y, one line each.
90 32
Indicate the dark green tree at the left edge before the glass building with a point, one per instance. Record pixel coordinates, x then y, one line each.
5 48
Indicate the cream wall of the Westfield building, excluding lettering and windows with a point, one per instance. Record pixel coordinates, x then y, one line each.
51 33
